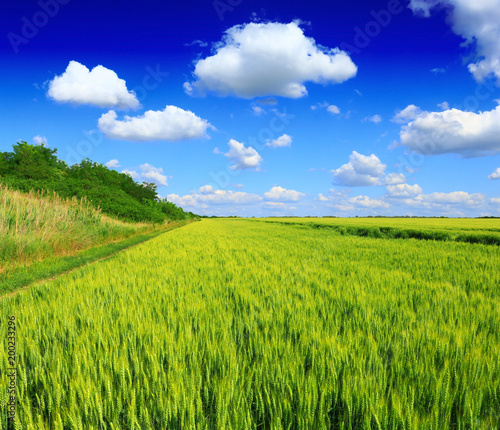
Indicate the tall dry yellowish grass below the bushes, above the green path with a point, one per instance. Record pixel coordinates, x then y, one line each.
40 224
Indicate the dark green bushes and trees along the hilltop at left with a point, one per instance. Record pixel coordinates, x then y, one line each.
36 167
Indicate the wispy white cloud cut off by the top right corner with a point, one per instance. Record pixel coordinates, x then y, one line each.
477 21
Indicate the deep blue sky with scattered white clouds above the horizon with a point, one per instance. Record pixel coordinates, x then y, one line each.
265 108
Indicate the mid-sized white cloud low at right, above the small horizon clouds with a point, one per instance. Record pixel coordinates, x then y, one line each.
361 170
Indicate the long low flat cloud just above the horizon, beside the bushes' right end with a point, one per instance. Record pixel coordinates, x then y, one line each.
216 197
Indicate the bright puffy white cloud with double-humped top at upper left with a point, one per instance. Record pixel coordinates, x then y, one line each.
99 87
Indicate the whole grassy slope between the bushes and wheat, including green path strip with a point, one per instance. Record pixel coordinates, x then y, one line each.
42 235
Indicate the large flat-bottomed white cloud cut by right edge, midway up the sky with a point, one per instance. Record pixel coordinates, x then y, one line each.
451 131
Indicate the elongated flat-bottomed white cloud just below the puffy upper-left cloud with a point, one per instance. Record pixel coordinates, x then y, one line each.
172 124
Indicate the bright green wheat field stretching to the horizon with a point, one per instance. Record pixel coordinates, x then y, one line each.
268 324
